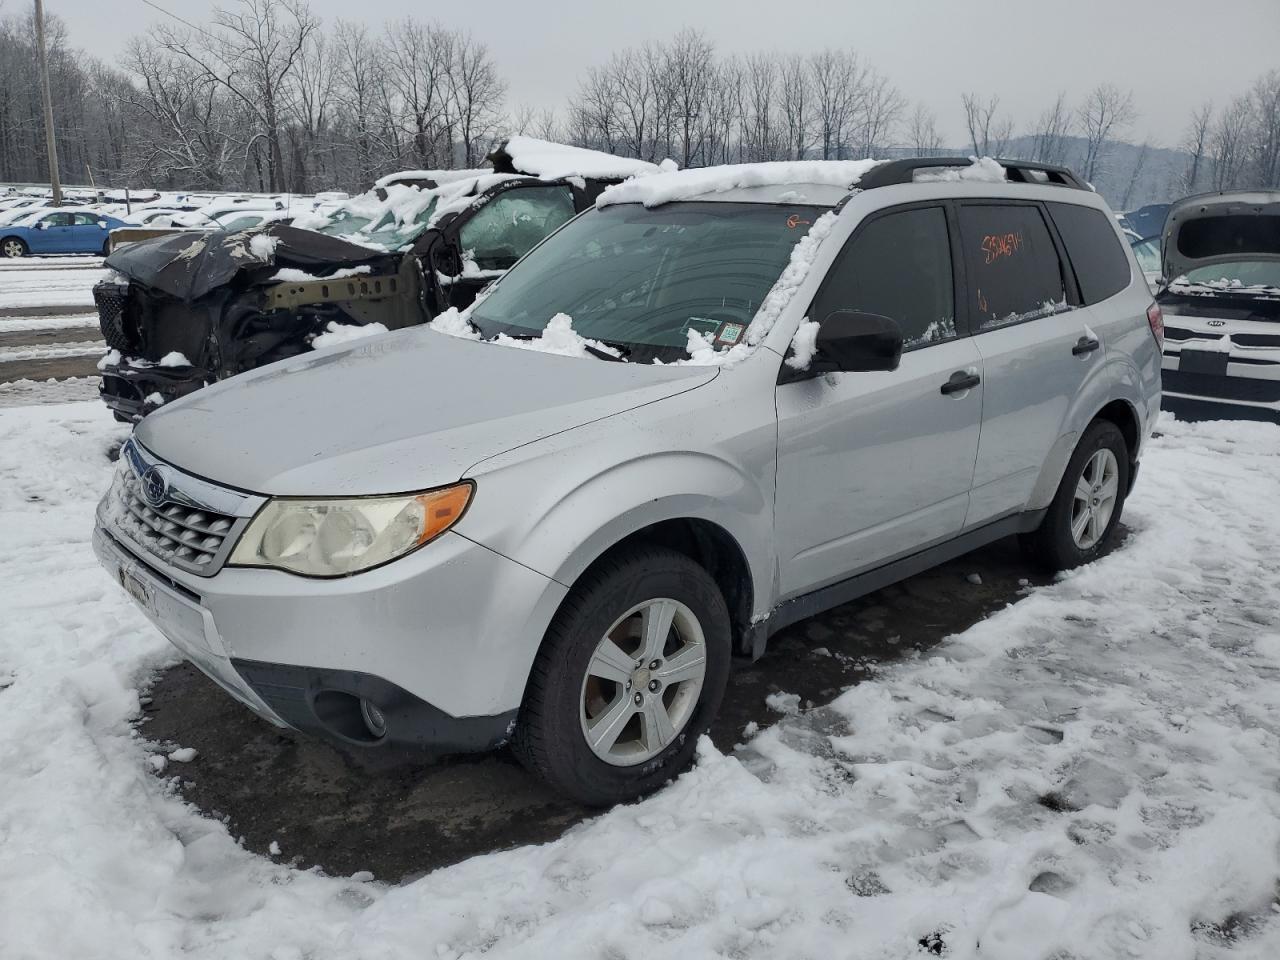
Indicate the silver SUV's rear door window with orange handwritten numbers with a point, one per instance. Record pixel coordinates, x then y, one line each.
1014 272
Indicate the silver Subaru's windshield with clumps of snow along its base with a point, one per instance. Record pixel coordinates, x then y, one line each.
641 280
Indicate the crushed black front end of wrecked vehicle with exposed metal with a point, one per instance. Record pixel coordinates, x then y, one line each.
186 310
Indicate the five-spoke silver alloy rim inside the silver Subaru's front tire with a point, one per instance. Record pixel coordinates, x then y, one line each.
643 683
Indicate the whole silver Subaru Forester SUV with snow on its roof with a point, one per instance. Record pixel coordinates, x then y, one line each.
717 404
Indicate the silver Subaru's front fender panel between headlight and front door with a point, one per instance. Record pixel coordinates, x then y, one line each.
559 505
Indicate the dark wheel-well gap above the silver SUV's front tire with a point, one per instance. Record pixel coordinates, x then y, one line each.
711 547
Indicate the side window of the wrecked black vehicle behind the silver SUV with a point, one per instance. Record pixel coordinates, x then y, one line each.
513 223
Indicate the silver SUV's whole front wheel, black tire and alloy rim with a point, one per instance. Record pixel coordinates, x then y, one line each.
632 673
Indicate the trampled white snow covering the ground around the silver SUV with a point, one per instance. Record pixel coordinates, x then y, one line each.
1090 774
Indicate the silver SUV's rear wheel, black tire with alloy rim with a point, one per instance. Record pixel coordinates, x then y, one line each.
1086 510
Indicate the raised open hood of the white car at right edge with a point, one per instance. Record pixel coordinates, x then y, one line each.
1220 230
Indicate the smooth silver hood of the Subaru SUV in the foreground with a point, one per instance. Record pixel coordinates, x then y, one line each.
424 410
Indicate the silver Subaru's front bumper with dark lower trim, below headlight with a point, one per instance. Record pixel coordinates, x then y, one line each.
440 642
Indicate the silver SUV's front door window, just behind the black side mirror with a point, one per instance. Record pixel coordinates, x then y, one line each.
898 266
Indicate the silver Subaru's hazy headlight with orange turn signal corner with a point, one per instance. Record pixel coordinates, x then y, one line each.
339 538
